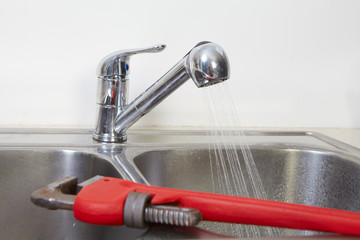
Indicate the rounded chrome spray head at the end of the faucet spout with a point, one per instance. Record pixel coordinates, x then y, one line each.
207 64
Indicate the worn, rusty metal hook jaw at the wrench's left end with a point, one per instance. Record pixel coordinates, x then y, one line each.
58 195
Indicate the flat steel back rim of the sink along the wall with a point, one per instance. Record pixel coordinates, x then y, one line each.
72 137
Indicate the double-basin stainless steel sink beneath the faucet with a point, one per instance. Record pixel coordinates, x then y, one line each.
299 167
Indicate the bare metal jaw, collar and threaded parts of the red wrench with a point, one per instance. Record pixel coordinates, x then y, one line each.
138 211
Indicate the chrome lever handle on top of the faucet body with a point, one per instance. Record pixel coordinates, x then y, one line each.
117 63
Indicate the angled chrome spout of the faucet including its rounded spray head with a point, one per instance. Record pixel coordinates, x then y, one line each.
206 64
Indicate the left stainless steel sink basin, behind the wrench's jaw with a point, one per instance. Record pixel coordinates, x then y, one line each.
24 170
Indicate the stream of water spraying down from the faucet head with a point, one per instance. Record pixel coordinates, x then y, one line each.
233 168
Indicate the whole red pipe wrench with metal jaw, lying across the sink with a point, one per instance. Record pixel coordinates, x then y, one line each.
114 201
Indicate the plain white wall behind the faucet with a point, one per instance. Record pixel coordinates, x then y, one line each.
293 63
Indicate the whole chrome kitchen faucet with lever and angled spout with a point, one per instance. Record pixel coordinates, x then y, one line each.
206 64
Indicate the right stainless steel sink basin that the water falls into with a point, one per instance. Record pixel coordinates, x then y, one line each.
305 176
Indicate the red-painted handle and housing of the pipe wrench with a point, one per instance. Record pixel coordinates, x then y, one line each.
102 203
